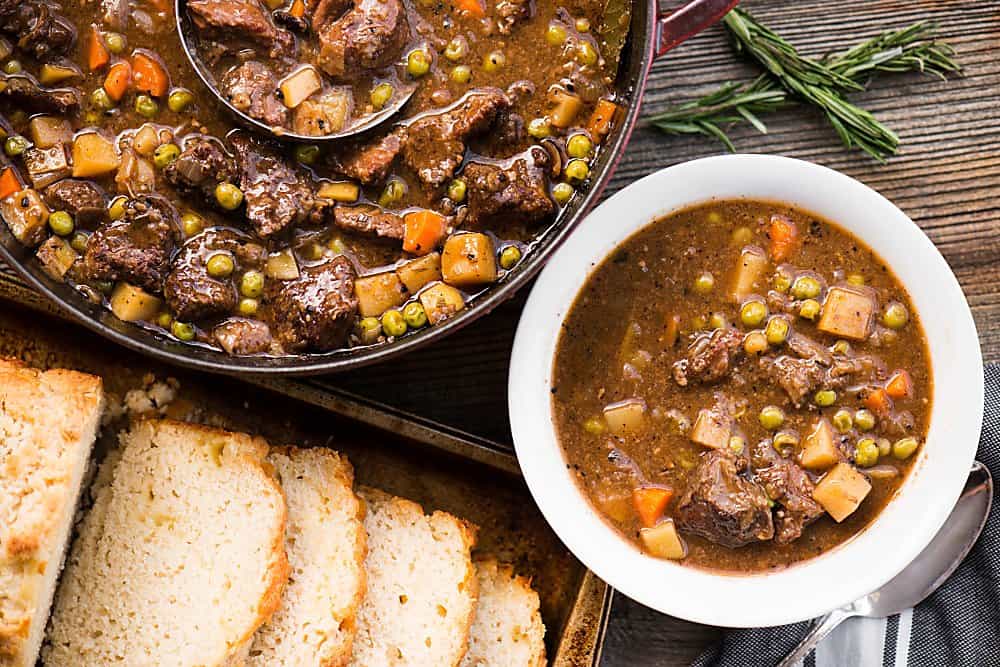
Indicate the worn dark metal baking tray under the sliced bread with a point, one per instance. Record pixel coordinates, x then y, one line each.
438 467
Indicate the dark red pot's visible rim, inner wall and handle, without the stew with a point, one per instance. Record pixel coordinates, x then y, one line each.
651 35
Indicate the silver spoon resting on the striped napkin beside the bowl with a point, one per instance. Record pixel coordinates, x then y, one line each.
926 573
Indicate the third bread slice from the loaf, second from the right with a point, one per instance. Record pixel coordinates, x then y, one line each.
421 586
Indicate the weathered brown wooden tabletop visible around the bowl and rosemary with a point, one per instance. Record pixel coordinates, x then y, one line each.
947 178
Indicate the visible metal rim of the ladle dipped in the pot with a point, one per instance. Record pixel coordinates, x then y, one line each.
185 28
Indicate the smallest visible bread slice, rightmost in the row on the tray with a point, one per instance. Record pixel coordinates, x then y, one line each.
508 630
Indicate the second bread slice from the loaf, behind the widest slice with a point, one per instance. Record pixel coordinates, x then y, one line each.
325 543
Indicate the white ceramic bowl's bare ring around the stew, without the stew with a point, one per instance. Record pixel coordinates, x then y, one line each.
840 575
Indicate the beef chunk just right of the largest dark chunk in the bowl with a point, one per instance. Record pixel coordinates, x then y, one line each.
788 485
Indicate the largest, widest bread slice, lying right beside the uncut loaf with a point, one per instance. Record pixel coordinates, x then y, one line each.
180 560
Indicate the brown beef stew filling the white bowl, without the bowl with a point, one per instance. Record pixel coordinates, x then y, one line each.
741 386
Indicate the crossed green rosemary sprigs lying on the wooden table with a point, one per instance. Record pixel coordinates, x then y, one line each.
822 83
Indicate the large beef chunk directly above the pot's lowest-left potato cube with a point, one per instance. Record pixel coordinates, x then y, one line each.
135 248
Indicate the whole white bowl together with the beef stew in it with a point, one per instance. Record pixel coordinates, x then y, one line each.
747 391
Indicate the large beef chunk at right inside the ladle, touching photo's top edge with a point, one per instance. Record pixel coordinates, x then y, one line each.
368 37
